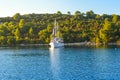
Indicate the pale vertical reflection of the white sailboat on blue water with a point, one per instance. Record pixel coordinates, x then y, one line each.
55 62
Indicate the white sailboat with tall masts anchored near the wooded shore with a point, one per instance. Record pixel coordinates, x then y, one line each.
56 41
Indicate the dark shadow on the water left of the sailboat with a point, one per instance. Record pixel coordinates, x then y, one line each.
26 51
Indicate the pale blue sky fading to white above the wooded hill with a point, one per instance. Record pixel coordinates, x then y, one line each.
10 7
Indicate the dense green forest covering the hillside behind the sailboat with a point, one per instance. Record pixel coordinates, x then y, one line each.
77 27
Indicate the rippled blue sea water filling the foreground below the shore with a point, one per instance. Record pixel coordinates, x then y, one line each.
70 63
